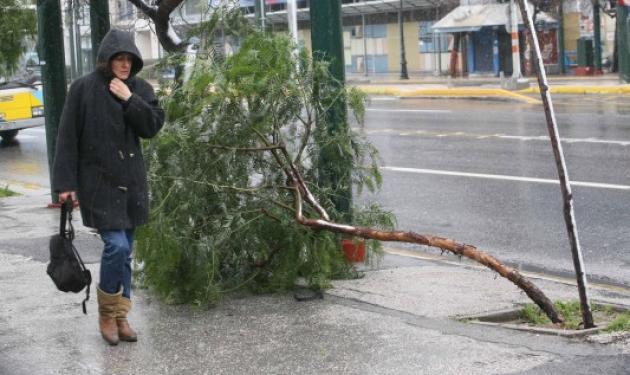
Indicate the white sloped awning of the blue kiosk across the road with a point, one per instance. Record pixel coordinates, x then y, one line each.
466 18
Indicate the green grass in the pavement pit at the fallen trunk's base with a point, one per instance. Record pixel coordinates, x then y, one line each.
614 319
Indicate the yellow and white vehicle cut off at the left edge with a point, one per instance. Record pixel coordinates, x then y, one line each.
21 107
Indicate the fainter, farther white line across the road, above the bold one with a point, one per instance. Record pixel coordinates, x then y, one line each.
544 138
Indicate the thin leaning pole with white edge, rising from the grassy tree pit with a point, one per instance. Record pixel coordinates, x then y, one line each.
565 187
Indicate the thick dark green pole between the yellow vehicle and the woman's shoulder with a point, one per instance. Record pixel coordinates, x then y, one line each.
51 55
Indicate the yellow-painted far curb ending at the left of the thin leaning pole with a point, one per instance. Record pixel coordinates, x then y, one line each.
481 93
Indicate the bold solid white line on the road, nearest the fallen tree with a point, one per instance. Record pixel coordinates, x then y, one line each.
597 185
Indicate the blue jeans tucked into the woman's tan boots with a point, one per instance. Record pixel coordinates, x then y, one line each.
116 261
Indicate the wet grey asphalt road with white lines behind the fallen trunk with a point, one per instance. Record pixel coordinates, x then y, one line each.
483 173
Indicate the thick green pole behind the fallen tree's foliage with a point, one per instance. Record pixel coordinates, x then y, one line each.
327 42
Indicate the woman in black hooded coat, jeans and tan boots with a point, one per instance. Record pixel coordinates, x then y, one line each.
99 161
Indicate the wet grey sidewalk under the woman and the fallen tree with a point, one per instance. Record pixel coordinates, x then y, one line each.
398 319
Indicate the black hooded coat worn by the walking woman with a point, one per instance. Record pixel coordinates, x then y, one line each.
98 152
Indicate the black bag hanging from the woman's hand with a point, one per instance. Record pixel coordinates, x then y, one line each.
66 268
